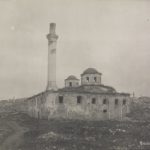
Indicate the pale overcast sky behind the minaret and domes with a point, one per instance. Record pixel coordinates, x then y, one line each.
111 36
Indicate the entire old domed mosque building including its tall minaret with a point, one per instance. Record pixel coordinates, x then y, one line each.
84 98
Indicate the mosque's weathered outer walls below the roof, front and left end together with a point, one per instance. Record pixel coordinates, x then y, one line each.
87 108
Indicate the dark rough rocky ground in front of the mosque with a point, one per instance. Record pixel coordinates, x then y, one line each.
20 132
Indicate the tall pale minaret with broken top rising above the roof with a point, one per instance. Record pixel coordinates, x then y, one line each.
52 41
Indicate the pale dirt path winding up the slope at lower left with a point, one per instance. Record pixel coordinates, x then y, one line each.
15 139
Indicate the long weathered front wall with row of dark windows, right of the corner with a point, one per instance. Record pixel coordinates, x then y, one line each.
86 109
